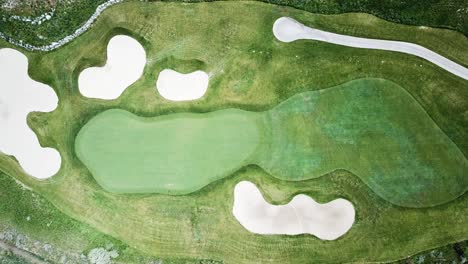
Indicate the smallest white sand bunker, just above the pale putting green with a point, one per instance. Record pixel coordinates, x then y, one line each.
177 86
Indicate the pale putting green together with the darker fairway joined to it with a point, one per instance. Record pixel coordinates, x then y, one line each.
370 127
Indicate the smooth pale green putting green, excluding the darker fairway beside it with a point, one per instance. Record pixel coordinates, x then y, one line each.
174 154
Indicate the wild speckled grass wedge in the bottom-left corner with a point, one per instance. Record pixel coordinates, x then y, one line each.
28 213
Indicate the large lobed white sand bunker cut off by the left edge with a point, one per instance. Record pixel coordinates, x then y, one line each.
20 95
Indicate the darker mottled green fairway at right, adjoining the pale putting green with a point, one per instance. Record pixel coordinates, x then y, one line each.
374 129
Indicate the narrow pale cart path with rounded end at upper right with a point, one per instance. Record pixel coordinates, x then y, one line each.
287 29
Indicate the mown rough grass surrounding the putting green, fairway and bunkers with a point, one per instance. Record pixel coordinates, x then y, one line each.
251 71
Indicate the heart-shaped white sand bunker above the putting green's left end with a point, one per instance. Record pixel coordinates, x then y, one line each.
126 59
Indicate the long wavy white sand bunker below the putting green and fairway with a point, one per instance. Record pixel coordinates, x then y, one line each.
302 215
